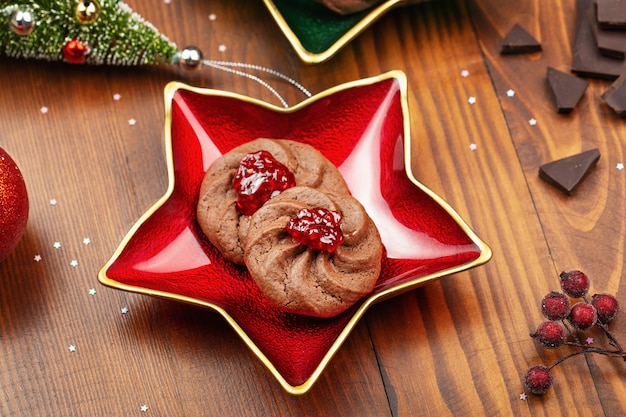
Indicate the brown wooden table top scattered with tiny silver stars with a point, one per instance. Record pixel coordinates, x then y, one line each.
458 346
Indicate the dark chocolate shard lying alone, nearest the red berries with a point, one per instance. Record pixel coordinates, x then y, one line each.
565 174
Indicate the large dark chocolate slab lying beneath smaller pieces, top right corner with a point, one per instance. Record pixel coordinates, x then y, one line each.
586 58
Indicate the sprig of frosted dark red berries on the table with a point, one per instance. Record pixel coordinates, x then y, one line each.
566 322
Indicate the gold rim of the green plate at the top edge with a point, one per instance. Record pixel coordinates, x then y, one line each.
319 57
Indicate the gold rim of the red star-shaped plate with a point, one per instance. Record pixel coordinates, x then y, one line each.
170 90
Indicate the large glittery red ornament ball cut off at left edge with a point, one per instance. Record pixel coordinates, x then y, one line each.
13 205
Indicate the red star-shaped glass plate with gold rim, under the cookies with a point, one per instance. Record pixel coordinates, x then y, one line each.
363 128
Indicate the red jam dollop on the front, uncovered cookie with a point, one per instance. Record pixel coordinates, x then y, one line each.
317 228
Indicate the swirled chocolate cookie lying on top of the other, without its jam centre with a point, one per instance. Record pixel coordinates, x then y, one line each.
306 281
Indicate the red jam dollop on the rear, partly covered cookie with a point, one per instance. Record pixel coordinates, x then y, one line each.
260 177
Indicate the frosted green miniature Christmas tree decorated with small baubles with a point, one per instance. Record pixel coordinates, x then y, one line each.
81 31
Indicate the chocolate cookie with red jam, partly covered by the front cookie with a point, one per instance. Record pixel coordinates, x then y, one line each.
242 180
